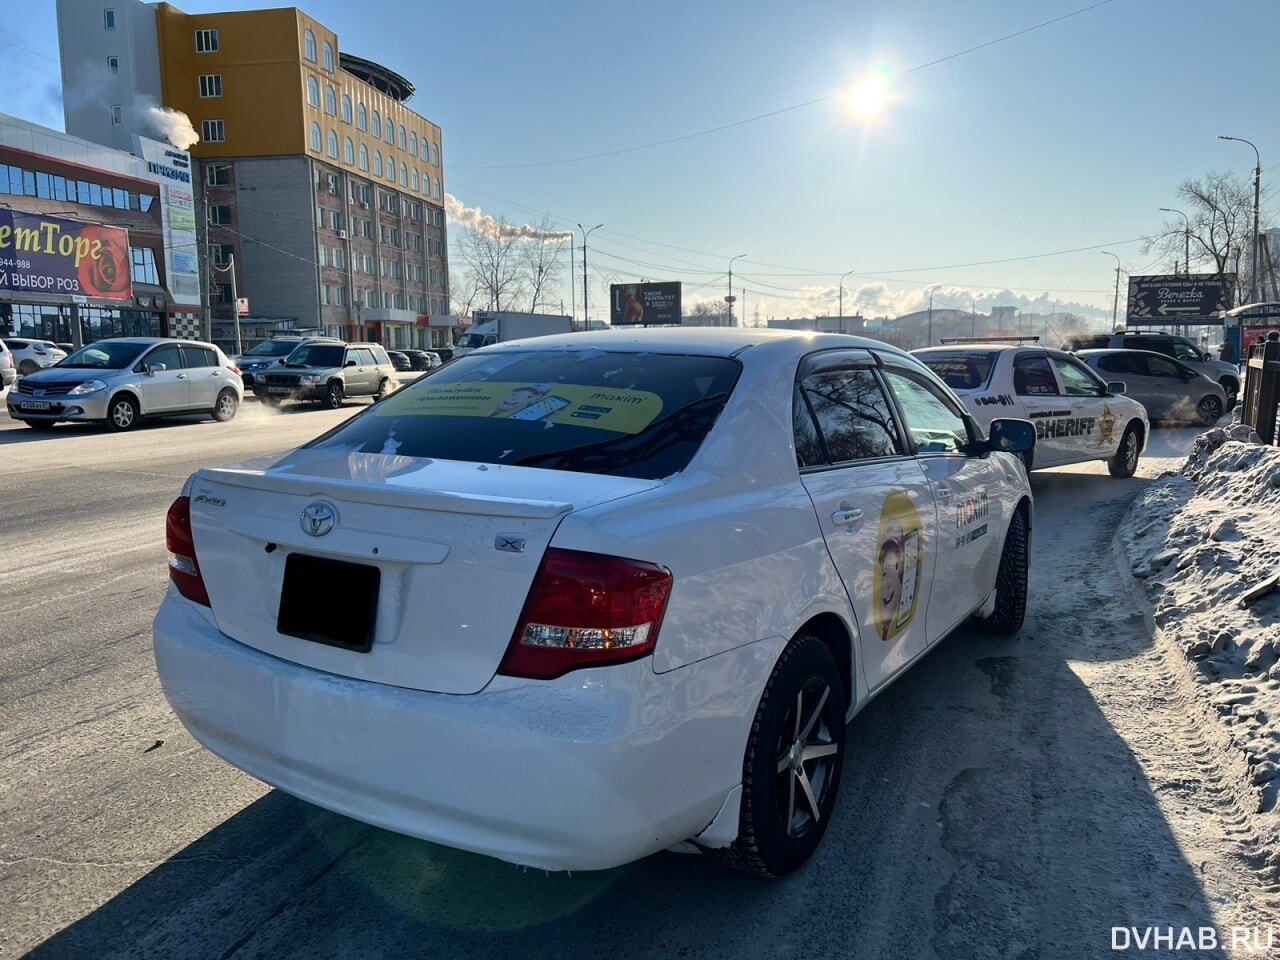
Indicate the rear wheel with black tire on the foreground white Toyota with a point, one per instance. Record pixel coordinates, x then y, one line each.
785 812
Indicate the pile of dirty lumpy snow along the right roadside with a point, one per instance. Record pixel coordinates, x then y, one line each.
1206 545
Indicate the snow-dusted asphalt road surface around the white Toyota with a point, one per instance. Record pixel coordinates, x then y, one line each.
1007 799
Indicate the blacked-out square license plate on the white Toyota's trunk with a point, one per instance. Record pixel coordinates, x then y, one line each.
330 602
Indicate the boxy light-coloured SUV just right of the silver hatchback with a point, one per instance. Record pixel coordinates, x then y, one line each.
328 372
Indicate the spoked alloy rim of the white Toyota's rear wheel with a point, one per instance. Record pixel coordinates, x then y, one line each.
807 756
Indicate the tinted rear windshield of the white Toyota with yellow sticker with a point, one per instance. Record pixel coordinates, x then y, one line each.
639 415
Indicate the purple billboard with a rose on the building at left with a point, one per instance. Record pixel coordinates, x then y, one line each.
63 258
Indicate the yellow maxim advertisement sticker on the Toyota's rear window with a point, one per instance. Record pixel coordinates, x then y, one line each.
601 408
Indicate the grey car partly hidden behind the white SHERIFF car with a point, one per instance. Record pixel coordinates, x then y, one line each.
1169 390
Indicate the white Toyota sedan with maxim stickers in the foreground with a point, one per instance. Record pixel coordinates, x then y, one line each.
569 602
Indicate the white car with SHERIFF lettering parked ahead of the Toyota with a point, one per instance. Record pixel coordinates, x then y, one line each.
1078 417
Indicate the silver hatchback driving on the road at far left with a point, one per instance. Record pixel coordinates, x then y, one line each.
122 381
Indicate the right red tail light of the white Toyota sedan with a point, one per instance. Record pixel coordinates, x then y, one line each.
587 610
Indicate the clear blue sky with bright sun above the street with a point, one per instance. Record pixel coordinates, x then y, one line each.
991 153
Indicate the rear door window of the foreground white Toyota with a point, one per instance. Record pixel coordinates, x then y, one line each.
853 417
